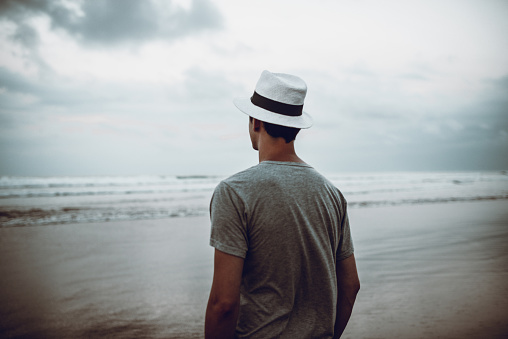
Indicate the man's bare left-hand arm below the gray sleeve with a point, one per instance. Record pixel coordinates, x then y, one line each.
224 302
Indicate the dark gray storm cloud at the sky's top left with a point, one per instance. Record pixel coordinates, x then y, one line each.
114 21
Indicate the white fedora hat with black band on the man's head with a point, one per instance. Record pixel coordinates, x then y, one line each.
277 99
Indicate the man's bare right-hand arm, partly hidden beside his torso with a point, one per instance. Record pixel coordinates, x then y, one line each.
348 286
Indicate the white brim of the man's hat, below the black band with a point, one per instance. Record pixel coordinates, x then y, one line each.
247 107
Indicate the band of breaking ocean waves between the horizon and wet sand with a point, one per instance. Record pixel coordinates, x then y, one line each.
39 201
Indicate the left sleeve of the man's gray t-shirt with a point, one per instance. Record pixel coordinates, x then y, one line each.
229 227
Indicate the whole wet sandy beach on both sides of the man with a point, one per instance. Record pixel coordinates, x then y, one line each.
427 271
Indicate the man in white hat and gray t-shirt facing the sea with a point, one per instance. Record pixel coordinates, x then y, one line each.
284 265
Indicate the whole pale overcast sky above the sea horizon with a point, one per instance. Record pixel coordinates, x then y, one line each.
132 87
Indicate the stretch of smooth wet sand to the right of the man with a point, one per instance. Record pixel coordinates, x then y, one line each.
432 271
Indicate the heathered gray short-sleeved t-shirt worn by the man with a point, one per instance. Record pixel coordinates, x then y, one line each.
290 225
